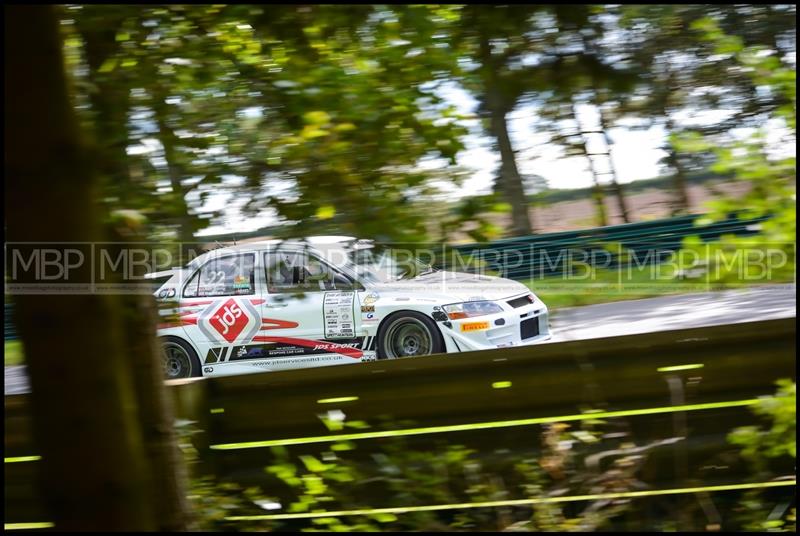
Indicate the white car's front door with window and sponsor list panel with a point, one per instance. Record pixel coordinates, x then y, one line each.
309 309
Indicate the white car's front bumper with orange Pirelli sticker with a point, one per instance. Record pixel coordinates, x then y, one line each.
520 326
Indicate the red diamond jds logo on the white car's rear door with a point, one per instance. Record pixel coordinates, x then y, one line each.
230 320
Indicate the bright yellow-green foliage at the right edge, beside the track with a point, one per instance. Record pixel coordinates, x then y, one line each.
771 179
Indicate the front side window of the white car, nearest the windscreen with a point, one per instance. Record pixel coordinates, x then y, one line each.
300 272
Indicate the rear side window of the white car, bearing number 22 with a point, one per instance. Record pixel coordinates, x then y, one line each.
233 275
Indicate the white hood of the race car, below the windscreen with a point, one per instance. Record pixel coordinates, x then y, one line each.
454 287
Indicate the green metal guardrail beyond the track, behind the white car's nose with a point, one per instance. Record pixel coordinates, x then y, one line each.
609 247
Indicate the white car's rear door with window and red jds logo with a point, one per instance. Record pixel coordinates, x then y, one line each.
220 306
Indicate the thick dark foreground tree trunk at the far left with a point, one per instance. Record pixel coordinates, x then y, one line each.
84 407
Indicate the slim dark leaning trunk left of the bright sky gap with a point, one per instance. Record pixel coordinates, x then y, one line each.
511 182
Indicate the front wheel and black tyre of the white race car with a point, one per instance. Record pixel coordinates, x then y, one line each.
408 334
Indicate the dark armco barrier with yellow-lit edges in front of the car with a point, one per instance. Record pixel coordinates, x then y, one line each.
707 378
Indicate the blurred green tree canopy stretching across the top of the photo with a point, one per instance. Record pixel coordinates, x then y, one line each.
326 117
